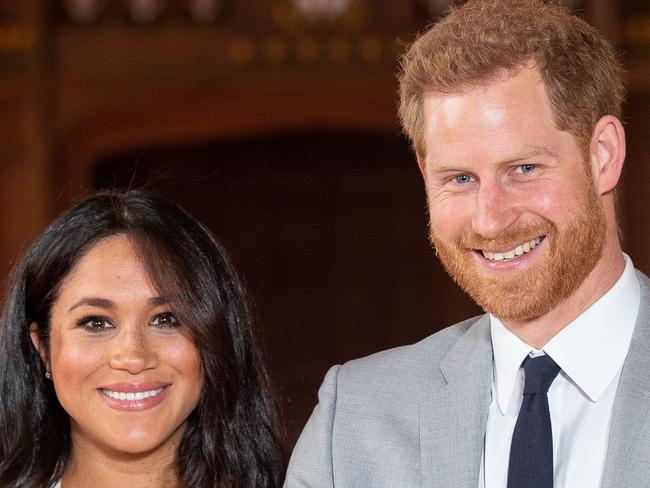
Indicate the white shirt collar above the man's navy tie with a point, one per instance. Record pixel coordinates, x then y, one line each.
590 350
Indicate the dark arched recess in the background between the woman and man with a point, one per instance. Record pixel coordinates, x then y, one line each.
330 233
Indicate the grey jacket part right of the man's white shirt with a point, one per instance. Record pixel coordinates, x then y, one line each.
629 438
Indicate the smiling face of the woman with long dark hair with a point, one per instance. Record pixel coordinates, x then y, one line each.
125 370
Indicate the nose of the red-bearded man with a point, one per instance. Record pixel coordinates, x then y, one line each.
495 210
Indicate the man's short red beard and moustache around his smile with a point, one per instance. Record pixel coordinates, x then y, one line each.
568 258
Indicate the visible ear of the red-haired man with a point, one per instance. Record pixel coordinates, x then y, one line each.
607 153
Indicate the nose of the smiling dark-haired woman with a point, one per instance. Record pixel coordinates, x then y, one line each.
132 350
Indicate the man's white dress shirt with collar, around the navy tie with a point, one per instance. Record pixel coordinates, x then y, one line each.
591 351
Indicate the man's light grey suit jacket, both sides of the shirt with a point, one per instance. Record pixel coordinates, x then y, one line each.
415 416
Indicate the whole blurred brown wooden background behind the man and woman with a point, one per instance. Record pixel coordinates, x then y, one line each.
274 122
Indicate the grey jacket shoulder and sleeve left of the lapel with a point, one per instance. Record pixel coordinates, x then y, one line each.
368 416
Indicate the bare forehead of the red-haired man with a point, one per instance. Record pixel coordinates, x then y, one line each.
507 120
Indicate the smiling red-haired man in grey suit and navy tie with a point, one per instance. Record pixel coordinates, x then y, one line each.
513 108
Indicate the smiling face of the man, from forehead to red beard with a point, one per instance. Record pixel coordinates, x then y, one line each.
514 214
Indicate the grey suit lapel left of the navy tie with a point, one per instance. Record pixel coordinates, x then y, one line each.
453 419
